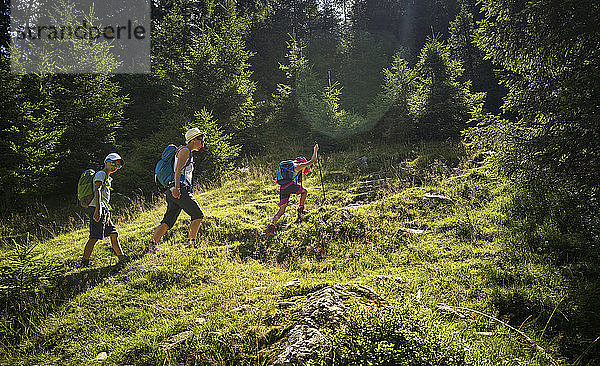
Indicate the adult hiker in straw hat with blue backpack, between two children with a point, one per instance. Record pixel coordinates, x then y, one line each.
178 164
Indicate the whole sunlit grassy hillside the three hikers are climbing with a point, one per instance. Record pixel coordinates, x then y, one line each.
466 269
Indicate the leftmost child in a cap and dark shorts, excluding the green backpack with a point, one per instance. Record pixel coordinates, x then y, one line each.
98 210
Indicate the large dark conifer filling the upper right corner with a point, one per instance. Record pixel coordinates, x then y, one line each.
550 56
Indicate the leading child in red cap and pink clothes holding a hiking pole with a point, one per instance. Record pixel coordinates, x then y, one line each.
289 177
